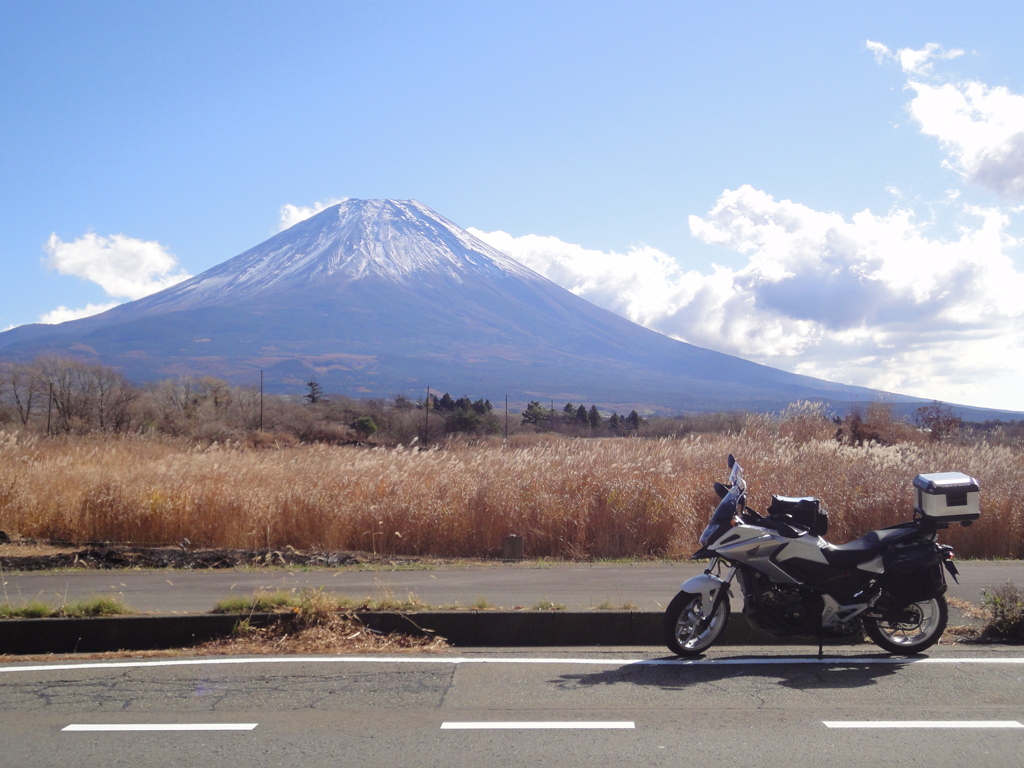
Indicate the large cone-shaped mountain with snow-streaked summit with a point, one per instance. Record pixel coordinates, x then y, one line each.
382 297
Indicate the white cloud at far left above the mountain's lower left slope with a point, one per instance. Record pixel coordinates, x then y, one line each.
125 268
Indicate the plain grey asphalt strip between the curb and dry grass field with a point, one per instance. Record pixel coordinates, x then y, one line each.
646 586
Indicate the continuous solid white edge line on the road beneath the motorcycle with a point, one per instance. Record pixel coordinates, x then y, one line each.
764 662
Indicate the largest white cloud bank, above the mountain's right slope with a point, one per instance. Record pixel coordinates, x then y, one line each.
870 301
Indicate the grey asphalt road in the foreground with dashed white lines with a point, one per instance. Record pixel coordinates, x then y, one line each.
744 707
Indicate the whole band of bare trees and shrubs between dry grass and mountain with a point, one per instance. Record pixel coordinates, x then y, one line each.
56 396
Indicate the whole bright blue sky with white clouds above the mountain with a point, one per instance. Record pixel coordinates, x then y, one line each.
833 191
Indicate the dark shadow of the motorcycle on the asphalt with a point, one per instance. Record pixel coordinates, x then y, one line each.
796 672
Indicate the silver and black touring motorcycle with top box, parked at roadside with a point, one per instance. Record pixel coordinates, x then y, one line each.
889 584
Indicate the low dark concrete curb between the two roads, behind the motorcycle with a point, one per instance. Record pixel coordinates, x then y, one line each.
465 628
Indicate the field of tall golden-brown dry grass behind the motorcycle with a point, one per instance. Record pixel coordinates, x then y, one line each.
576 499
